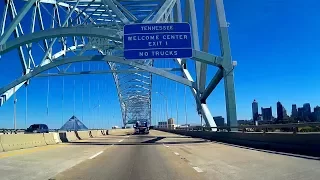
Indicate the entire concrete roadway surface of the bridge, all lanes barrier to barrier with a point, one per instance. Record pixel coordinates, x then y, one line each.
159 155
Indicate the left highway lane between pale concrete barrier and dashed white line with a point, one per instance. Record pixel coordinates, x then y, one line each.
41 163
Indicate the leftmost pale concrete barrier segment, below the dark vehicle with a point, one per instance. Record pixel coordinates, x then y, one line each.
21 141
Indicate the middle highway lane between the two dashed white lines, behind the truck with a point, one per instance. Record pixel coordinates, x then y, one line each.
139 157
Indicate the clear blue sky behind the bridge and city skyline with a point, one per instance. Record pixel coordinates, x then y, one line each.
276 45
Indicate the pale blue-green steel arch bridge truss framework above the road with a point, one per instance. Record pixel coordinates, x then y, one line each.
65 32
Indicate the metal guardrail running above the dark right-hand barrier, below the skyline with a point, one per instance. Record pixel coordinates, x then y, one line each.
292 127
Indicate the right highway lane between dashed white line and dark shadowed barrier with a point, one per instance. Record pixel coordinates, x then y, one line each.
221 161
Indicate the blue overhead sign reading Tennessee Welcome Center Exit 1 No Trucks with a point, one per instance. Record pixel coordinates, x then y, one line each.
160 40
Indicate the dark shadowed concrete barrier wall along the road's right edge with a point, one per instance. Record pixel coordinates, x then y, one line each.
301 143
